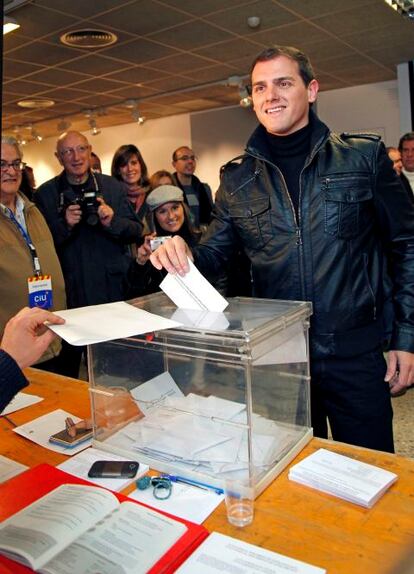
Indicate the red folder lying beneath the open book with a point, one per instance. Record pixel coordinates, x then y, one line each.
19 492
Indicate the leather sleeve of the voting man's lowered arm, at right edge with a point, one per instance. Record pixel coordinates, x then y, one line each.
395 213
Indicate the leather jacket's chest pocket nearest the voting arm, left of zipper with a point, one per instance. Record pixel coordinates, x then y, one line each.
253 222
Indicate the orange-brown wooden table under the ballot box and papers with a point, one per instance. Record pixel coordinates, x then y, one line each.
291 519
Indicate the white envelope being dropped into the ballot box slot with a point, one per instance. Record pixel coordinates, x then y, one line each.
193 291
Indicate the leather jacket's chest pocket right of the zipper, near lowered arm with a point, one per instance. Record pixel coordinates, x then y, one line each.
346 200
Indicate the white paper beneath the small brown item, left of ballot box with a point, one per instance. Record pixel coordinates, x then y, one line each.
39 430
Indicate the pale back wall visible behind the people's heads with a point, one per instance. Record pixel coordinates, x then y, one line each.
219 135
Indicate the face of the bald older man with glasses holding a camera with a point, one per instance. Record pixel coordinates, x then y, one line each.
74 154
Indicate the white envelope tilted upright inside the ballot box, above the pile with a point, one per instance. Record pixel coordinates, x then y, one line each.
154 393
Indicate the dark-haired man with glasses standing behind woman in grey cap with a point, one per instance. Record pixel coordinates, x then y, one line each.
197 195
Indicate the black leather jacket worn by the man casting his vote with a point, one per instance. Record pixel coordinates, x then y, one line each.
355 229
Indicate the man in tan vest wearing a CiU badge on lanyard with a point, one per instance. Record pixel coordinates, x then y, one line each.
29 267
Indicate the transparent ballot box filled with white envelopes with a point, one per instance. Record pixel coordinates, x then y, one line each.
224 396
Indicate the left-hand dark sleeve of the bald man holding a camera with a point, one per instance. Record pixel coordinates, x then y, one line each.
47 200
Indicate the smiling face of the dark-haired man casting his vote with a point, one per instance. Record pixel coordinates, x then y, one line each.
280 98
